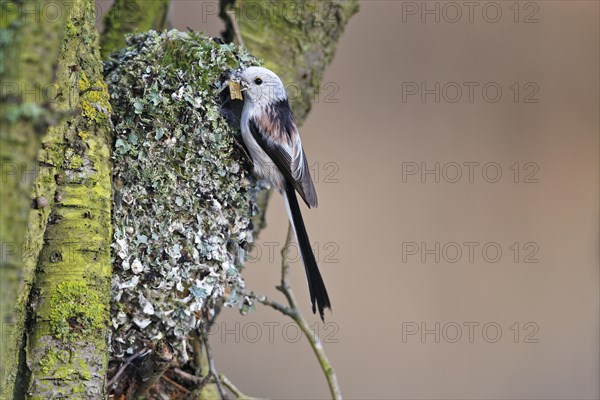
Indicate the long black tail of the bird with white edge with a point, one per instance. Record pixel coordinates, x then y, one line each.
316 286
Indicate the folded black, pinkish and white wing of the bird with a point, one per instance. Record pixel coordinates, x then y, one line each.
277 134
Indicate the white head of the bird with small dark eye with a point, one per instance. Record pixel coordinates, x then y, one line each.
261 86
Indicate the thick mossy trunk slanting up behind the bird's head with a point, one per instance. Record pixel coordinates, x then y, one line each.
296 38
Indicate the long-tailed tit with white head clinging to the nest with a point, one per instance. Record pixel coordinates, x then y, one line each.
273 141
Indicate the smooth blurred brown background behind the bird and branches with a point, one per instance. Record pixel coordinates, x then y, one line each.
369 138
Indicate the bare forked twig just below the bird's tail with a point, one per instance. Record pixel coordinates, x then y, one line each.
294 312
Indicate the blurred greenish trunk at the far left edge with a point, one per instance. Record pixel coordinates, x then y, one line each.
29 41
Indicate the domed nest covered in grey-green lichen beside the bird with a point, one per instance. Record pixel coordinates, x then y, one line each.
183 193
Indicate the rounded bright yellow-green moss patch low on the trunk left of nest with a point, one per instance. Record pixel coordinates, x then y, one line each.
76 311
